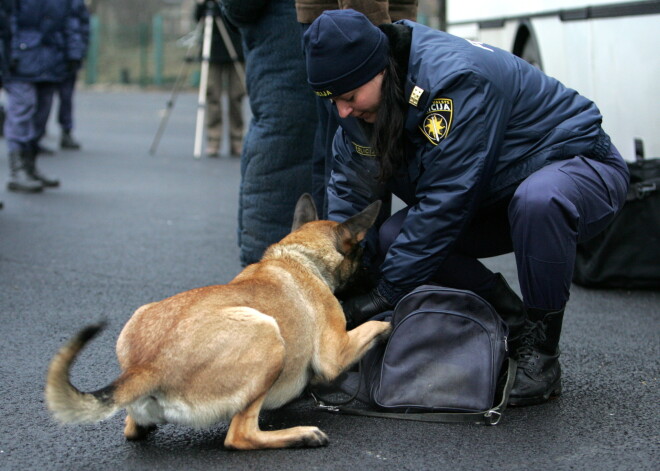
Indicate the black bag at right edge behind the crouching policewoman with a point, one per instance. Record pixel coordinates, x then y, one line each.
627 253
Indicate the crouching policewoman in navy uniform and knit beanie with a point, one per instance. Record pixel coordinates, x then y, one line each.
490 155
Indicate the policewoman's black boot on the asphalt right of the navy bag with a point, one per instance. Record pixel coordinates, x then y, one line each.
538 376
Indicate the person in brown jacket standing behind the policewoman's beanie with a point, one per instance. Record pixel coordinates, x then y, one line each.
378 12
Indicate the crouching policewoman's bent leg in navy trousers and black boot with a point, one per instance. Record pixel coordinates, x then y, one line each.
552 210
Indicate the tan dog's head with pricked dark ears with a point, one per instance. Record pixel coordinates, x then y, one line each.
332 248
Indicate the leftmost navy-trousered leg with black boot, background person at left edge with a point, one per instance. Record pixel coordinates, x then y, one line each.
19 132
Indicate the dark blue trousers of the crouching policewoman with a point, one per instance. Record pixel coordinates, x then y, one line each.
550 212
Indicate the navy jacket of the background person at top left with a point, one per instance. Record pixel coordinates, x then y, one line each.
45 38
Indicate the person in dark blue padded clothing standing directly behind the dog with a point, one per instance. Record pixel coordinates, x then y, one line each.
276 163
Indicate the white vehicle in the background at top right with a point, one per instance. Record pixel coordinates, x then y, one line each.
606 51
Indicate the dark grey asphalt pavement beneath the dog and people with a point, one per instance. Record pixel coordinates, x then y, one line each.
127 228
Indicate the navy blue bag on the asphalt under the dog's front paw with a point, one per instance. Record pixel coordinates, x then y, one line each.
443 362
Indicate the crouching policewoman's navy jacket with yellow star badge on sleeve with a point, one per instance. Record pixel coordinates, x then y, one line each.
484 120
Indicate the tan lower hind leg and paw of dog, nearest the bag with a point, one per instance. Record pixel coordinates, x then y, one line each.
244 433
